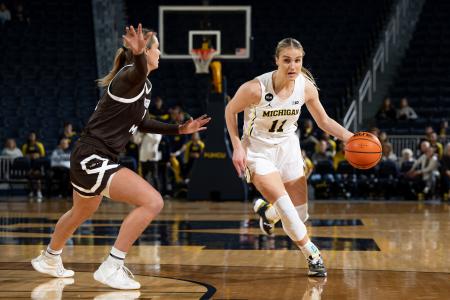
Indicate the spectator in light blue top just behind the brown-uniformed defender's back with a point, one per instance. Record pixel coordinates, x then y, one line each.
60 166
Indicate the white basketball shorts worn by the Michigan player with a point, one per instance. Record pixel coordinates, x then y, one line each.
285 157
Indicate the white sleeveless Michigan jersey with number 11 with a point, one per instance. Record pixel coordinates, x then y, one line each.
273 119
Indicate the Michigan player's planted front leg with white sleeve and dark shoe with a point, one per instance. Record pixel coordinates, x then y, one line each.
272 188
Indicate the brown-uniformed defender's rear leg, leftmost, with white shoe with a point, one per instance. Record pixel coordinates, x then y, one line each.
49 261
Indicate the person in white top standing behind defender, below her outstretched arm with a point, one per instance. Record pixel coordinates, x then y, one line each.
149 156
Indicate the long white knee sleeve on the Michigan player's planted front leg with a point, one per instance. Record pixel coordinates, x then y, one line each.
292 224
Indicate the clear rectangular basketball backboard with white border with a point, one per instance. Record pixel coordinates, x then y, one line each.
226 29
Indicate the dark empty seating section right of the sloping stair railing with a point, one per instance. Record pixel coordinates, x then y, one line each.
424 75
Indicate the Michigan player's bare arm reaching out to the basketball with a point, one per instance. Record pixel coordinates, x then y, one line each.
319 114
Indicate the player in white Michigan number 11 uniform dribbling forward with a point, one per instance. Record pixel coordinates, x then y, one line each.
269 151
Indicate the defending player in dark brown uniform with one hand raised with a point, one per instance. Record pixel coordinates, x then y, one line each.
122 110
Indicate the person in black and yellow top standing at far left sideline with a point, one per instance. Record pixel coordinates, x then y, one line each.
34 150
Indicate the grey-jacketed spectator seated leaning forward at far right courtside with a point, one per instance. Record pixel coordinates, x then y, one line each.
426 167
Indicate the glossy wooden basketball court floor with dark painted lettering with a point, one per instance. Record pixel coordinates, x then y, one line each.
204 250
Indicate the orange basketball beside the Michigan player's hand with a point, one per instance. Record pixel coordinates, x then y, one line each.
363 150
